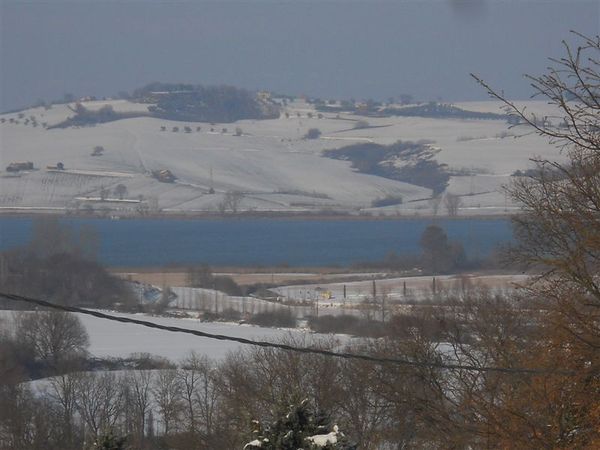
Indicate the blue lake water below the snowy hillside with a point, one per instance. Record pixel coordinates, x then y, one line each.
246 242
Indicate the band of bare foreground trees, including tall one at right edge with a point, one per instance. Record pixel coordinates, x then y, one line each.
533 376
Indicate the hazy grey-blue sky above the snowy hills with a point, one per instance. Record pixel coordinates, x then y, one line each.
342 49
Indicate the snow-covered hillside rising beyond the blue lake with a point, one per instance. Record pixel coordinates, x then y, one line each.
271 163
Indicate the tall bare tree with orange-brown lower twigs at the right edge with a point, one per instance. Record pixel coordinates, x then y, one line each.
557 234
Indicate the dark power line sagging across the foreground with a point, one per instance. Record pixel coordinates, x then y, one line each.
265 344
